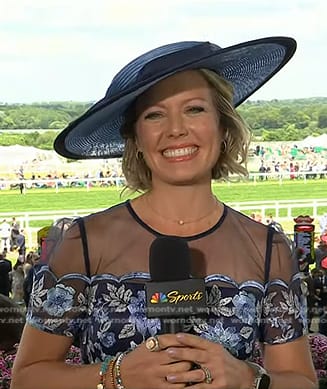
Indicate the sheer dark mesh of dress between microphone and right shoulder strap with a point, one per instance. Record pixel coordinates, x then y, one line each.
235 249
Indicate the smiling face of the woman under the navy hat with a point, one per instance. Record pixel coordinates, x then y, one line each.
178 129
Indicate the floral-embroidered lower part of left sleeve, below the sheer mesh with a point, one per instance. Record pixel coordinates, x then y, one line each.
58 305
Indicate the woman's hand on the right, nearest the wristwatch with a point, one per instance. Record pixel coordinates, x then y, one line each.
220 370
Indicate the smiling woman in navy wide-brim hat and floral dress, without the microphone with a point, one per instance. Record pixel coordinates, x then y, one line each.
172 113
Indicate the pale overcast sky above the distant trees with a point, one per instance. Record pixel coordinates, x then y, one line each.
59 50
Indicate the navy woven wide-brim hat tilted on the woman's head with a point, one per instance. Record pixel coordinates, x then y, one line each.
247 66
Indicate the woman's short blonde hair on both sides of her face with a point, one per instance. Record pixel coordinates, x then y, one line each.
233 157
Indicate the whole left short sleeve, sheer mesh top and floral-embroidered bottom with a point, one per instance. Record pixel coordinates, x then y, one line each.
58 301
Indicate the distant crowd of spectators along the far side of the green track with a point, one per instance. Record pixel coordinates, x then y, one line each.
284 160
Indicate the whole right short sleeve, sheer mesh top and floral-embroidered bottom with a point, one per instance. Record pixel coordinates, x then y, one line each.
284 304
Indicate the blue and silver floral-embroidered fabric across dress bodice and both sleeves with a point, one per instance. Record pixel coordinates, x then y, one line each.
108 314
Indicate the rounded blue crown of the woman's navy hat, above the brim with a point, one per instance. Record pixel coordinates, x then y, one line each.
155 62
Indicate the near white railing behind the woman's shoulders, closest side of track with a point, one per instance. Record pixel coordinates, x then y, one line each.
264 208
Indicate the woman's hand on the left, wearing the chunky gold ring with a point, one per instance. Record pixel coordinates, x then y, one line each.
143 369
